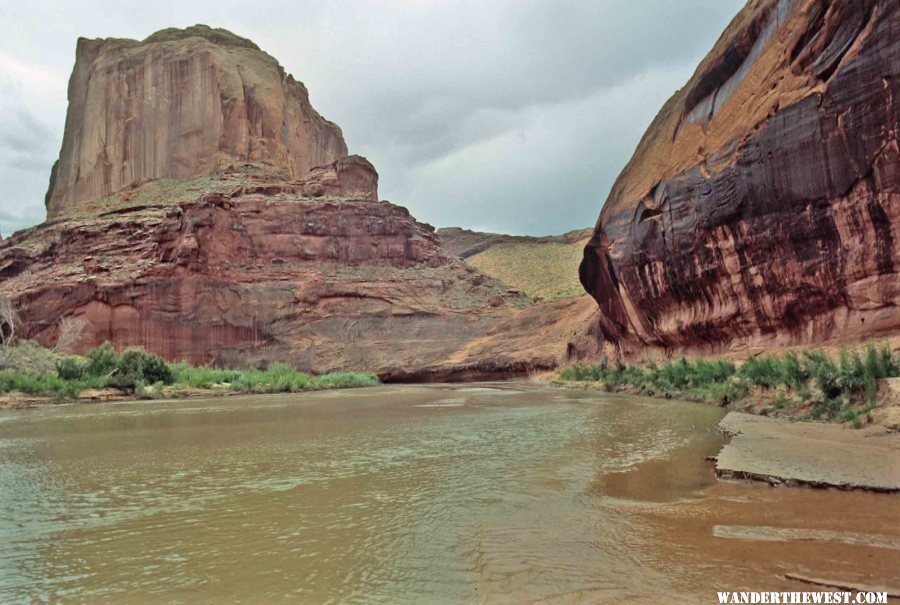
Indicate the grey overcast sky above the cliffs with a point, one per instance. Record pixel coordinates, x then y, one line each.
509 116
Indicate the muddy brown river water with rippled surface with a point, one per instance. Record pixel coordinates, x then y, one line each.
501 492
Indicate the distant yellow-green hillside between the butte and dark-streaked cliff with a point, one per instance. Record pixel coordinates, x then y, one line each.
541 267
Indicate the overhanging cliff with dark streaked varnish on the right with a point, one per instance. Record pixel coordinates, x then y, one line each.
762 206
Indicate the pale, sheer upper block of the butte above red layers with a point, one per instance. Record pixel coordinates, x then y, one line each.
179 104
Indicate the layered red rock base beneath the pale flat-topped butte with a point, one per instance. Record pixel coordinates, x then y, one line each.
246 267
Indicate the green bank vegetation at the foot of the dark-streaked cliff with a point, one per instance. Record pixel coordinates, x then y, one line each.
830 389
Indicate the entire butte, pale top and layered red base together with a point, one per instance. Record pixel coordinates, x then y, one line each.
201 208
